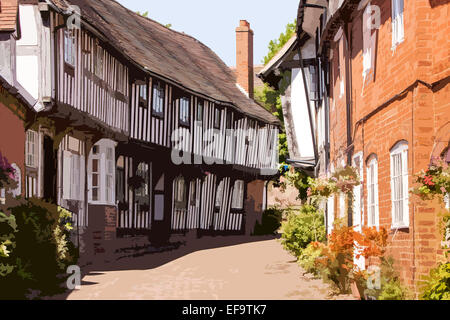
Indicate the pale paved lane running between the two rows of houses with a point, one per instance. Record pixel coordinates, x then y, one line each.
248 270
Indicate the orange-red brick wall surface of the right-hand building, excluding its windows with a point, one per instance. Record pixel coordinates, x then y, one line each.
419 114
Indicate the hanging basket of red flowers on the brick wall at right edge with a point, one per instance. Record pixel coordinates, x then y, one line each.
433 181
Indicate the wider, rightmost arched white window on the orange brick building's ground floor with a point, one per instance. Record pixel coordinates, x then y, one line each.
399 186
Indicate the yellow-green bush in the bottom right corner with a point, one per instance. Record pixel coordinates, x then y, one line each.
438 284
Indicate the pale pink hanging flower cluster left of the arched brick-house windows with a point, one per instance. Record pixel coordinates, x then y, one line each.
343 180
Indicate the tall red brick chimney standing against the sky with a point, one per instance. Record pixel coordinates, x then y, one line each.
244 57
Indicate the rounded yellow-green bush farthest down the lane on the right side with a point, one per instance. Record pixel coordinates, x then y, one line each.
302 228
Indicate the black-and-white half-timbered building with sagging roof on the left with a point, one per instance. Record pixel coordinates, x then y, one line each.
141 130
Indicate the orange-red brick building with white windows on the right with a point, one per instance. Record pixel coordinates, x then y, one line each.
383 75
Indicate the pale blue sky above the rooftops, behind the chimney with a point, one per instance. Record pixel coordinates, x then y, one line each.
213 22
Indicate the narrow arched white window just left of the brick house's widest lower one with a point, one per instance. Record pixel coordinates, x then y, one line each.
373 215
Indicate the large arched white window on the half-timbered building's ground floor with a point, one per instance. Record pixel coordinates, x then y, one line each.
101 173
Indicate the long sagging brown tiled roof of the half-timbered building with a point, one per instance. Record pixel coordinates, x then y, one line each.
173 55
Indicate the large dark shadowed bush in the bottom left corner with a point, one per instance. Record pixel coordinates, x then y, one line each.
40 249
